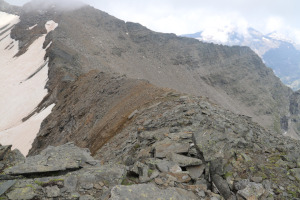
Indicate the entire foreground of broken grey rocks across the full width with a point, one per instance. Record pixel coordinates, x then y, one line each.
181 147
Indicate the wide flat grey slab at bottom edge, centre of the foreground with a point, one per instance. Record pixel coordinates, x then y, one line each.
150 192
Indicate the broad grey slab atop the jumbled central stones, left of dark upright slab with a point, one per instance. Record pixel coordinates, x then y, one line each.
162 149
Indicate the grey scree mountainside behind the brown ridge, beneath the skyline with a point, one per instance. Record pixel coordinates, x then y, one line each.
222 73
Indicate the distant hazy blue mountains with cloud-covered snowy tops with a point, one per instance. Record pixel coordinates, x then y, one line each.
279 53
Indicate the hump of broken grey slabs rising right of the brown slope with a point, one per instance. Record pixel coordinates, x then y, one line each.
186 142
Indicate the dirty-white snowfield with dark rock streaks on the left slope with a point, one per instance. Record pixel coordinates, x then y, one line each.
20 91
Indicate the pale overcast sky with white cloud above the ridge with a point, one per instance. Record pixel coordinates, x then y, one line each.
190 16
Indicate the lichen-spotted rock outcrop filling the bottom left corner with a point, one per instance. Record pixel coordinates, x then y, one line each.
65 172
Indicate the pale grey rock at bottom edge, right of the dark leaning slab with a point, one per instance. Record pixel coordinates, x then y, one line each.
252 191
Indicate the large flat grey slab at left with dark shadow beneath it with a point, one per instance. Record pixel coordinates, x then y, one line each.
54 159
